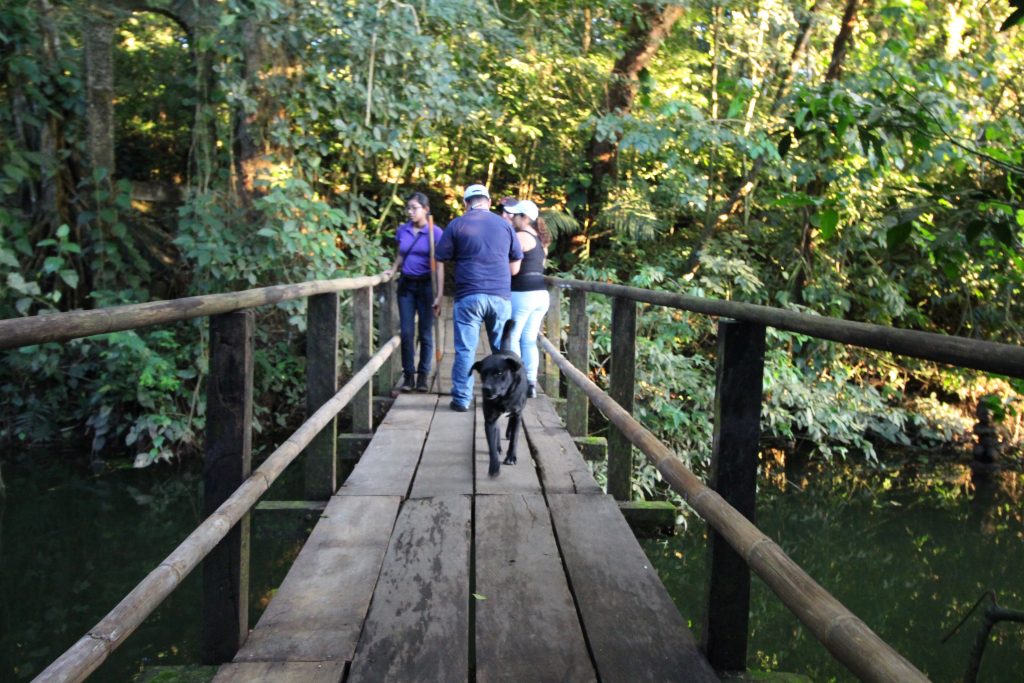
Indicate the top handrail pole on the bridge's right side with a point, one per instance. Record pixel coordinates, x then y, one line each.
974 354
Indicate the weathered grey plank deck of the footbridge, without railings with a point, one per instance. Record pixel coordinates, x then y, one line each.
423 569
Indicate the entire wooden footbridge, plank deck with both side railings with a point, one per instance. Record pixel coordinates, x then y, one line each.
422 568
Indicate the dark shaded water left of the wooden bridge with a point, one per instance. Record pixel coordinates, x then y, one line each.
72 547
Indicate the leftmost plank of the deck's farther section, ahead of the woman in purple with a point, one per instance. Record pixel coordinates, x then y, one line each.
388 466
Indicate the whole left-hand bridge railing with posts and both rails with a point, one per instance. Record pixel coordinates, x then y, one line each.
230 490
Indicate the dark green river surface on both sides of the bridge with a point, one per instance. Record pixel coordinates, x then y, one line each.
909 552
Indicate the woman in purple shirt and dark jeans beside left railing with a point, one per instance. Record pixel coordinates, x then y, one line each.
416 296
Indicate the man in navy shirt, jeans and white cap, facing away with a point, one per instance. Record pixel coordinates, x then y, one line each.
487 254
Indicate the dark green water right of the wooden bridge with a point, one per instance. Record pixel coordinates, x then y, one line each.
908 551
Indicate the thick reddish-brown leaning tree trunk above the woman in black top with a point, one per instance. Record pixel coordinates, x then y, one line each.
648 31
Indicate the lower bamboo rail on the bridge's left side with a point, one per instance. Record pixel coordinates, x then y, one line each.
91 652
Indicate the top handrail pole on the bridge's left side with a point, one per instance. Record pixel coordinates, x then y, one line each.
63 327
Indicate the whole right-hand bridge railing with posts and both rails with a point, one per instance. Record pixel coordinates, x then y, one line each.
728 505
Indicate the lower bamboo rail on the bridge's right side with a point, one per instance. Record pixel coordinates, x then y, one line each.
849 639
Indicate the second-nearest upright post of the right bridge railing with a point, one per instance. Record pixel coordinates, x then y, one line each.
624 336
